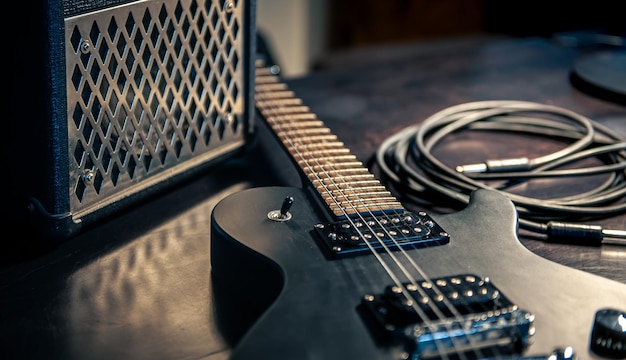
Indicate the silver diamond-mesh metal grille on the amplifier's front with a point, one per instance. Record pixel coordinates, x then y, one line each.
153 88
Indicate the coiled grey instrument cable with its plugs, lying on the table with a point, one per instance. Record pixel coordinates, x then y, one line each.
408 164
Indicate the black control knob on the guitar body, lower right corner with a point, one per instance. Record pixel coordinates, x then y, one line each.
608 336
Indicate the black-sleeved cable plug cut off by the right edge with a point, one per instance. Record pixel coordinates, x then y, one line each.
579 234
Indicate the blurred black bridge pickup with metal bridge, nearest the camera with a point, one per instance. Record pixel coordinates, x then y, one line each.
444 317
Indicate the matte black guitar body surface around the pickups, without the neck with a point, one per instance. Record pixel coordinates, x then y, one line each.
309 301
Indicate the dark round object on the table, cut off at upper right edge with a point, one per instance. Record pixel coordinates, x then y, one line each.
602 74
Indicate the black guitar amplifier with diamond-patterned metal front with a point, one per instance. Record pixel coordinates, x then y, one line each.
113 101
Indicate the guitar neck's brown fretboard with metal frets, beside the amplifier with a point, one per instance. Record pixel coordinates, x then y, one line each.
344 184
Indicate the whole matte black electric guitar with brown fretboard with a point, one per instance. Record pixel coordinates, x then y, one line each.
339 269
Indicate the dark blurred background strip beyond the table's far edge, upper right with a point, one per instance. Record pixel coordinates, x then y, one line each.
355 23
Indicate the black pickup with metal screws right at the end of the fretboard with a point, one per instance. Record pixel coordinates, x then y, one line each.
381 232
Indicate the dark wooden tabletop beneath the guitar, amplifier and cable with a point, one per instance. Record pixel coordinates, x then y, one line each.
139 285
